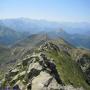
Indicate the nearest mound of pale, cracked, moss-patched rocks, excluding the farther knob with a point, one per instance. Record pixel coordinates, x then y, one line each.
34 73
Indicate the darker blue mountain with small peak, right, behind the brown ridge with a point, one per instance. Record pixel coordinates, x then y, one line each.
78 40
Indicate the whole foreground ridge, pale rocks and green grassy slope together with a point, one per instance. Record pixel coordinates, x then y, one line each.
53 65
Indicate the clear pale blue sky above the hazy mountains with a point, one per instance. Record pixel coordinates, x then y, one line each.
51 10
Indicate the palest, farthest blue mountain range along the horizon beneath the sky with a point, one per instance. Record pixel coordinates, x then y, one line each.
34 26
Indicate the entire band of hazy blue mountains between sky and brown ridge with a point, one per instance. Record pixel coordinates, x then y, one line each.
15 30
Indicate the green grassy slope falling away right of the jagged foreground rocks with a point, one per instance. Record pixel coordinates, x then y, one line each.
68 69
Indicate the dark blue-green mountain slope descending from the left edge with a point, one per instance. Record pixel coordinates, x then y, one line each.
9 36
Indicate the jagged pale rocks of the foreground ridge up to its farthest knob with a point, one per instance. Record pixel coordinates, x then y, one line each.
37 72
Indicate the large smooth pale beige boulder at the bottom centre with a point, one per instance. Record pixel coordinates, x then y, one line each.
43 82
